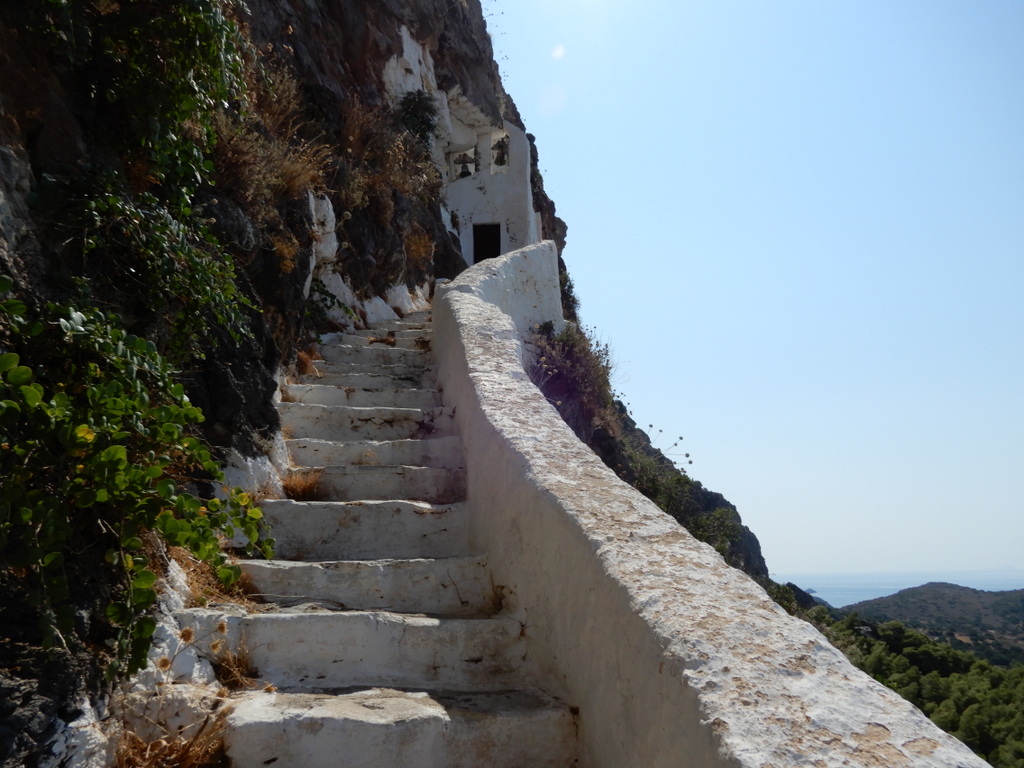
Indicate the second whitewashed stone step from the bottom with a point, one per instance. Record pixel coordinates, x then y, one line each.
309 647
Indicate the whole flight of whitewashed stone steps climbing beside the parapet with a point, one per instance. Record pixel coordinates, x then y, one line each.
386 638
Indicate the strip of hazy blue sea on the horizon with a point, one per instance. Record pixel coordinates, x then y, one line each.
840 590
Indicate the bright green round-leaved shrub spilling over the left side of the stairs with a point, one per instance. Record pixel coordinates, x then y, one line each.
96 448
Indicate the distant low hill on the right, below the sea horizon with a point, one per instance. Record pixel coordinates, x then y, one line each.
990 624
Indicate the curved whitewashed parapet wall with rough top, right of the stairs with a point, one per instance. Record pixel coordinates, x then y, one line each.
673 658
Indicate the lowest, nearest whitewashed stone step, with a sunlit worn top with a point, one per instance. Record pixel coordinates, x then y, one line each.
388 729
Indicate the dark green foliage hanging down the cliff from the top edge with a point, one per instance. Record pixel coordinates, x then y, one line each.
156 74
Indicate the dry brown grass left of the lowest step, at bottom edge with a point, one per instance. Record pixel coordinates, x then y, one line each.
202 749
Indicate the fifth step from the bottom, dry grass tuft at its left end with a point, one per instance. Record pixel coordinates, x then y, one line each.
369 483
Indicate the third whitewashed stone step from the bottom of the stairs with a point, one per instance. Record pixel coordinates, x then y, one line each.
450 587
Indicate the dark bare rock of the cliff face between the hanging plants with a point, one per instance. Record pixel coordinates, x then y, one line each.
327 62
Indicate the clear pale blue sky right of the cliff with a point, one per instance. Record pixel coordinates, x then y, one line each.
800 226
